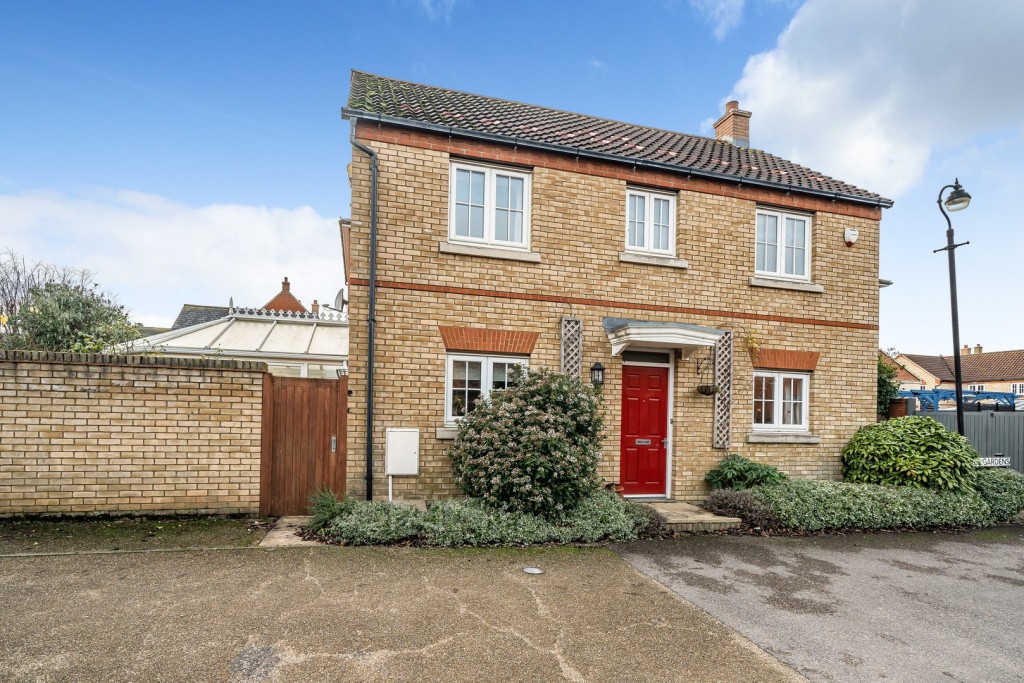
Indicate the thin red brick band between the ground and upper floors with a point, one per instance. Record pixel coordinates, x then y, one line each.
605 304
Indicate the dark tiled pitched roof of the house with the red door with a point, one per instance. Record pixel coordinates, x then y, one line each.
401 103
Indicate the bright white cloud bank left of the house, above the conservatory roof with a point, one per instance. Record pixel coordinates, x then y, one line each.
156 254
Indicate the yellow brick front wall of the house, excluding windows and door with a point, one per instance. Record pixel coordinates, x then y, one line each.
578 229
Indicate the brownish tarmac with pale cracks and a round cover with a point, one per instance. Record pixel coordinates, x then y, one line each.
358 615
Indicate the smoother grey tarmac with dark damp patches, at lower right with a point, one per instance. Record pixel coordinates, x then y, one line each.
862 608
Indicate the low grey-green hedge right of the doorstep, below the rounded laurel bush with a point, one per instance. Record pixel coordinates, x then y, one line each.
815 506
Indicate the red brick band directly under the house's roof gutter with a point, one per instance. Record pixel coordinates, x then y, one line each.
369 133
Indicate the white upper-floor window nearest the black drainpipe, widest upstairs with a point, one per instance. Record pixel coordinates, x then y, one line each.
489 206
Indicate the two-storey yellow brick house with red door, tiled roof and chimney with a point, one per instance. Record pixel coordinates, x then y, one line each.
513 234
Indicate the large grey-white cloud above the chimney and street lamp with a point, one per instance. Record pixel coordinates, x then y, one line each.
868 92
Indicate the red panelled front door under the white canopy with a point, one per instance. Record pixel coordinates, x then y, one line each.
646 429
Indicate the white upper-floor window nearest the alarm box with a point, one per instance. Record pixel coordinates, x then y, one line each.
783 246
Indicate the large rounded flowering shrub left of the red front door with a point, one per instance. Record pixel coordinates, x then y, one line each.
533 447
